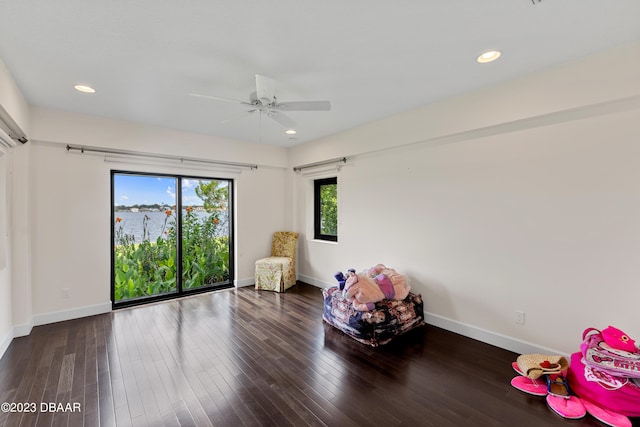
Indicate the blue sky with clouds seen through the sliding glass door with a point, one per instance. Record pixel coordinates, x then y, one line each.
132 190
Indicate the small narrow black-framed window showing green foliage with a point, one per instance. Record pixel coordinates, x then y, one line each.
325 208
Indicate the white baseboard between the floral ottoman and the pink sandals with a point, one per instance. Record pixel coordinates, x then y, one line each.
502 341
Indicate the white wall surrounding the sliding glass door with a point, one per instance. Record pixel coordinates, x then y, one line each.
69 199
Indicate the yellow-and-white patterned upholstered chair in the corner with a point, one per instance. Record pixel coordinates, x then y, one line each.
278 272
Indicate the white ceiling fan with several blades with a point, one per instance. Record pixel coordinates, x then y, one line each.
264 100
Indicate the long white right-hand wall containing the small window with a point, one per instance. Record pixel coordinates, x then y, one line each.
523 197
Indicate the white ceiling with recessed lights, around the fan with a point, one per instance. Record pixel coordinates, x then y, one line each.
370 58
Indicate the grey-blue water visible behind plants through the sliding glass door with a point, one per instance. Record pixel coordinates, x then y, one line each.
132 223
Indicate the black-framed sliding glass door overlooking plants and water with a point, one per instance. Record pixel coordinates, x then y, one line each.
172 235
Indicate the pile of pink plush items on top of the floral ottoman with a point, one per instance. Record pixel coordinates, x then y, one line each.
366 288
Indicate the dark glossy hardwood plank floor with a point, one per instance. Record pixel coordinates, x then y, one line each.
256 358
